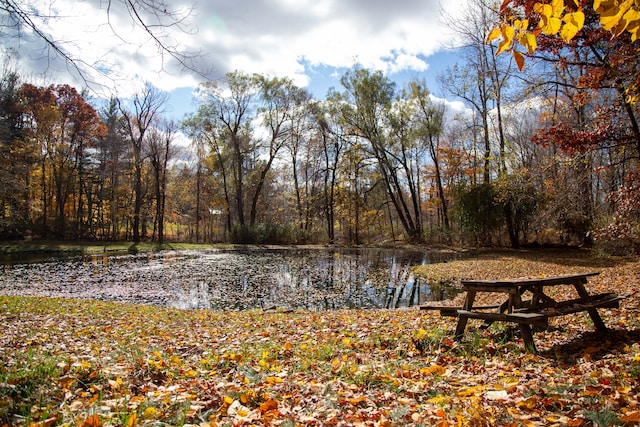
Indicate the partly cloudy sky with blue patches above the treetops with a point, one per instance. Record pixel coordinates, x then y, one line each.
313 42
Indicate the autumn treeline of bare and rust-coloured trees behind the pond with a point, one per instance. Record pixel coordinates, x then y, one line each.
548 156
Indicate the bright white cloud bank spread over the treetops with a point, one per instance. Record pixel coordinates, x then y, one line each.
271 37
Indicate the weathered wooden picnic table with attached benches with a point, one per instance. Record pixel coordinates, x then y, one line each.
533 311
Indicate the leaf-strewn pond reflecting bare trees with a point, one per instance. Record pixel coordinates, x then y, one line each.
233 279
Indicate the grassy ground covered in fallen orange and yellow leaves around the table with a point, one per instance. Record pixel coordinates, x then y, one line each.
92 363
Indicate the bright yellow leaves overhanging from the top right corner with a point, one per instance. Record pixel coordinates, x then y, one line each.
563 18
